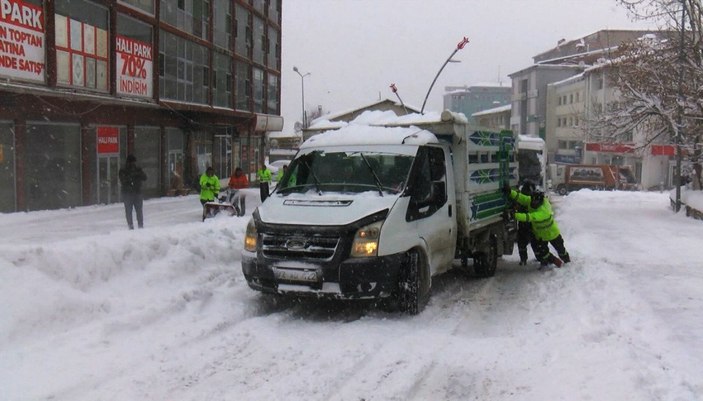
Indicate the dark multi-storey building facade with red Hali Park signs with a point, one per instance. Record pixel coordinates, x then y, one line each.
180 84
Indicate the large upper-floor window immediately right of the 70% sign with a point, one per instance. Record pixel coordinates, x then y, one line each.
183 70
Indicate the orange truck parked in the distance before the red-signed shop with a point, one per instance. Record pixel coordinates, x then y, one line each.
572 177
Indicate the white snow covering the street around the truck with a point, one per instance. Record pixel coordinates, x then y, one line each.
93 311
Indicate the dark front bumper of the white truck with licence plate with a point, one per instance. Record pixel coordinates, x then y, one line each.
354 278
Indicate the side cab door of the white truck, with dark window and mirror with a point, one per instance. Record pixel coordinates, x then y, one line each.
430 212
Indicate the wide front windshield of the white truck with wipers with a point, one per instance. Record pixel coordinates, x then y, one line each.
347 172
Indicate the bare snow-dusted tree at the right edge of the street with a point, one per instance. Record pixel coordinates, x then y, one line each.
658 78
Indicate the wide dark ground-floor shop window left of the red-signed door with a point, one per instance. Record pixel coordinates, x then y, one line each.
53 166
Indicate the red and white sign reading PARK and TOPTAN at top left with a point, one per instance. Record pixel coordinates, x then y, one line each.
22 41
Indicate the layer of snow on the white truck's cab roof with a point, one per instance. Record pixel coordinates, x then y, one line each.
371 135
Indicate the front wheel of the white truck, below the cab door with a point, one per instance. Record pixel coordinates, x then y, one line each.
413 288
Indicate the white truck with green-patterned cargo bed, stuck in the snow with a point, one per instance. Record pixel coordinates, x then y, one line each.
369 212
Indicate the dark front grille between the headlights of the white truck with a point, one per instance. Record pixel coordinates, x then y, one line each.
291 247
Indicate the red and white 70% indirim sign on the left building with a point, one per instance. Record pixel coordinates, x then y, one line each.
135 64
